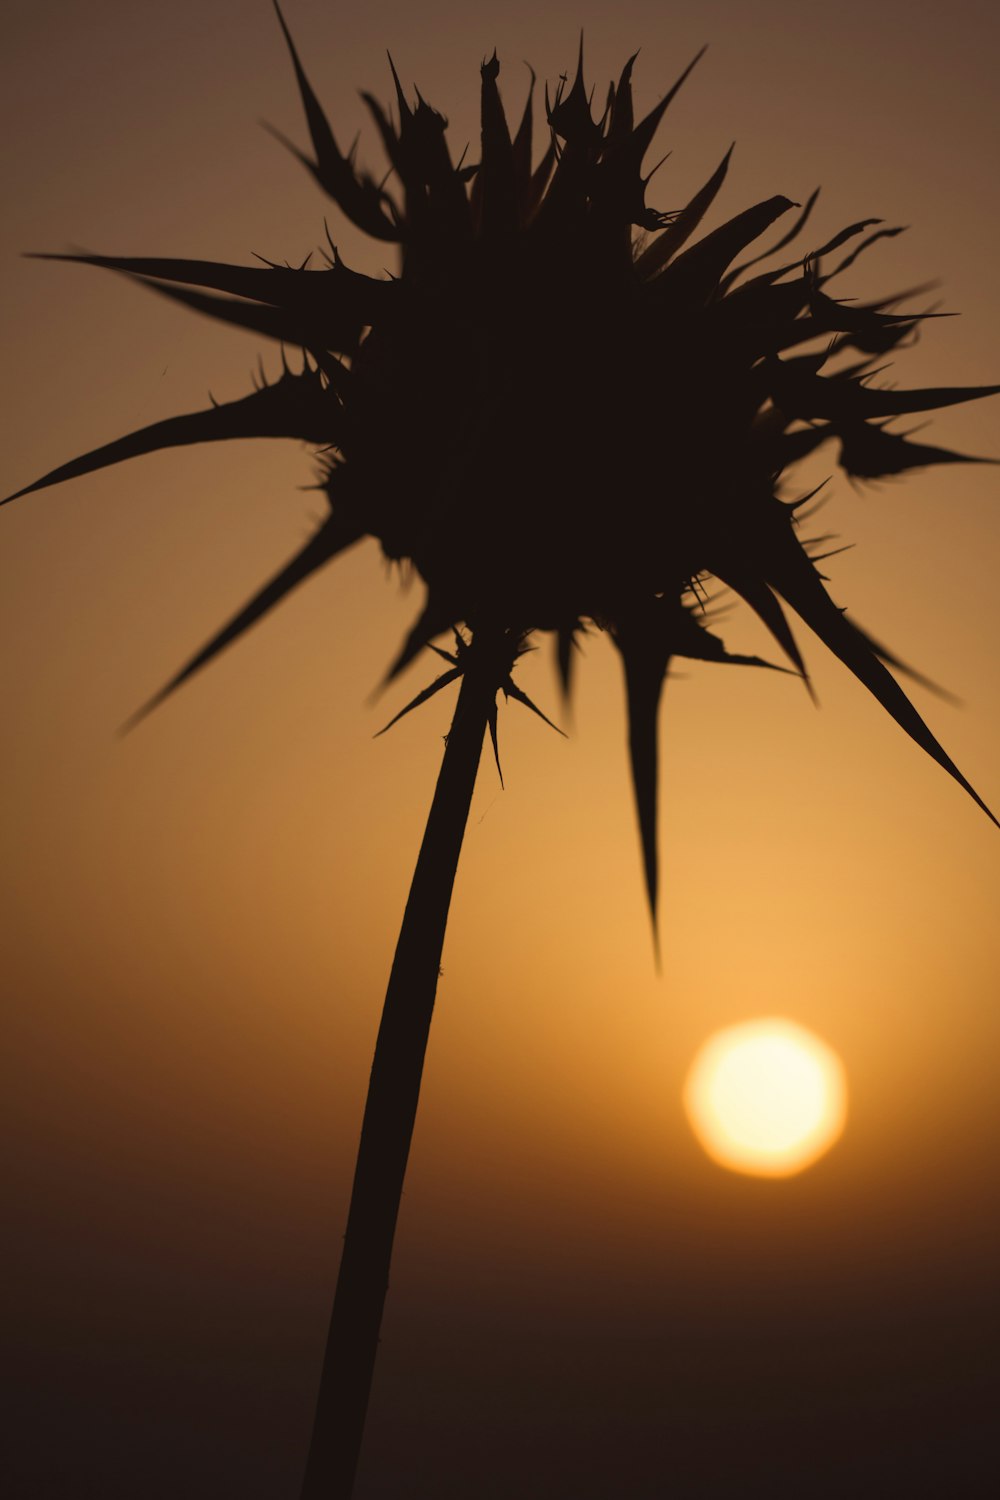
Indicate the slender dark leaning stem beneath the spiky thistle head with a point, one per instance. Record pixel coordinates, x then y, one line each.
394 1091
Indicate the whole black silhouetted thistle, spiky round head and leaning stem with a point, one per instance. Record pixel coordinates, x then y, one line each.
561 427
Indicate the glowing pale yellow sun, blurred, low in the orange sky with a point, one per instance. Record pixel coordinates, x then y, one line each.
767 1097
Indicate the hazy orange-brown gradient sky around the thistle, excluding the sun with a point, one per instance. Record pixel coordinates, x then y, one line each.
197 922
